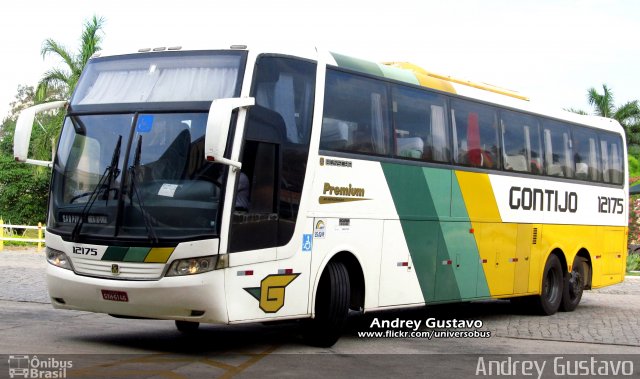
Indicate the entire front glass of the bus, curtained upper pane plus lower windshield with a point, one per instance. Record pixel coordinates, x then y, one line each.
130 162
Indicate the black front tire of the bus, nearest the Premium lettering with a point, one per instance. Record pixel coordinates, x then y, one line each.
332 307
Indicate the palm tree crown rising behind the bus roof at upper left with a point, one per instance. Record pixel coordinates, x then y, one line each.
60 82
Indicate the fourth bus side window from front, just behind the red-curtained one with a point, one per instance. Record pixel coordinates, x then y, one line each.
521 139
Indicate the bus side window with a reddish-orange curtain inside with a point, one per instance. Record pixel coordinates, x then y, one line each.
475 134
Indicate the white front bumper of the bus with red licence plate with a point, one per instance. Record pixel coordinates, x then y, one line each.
198 298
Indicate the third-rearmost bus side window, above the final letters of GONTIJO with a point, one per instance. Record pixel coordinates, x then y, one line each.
557 149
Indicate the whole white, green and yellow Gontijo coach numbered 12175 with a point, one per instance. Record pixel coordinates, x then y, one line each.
240 185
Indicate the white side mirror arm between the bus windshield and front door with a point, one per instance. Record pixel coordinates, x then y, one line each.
218 128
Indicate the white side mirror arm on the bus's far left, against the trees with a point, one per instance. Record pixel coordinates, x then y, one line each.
24 126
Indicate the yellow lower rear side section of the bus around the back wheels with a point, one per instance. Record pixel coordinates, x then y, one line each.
513 255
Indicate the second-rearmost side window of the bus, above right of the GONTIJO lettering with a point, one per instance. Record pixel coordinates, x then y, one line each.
585 154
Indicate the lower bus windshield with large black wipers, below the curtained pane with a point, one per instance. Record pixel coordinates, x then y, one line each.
164 188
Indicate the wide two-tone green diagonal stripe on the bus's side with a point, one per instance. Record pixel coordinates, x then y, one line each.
437 231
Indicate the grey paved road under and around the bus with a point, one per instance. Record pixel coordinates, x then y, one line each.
606 322
